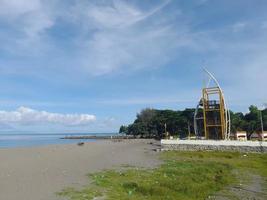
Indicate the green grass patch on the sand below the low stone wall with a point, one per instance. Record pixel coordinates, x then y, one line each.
183 175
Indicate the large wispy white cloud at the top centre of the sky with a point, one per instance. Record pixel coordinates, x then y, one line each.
118 36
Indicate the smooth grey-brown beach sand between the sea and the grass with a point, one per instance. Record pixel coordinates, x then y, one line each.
37 173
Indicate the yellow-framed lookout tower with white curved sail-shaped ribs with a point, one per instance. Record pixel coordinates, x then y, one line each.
212 118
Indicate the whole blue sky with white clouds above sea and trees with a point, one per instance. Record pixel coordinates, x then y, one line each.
91 65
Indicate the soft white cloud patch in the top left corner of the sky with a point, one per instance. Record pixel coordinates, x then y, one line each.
28 20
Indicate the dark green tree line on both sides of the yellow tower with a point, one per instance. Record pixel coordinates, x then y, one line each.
153 123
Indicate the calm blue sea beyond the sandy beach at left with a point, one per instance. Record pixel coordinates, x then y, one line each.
41 139
